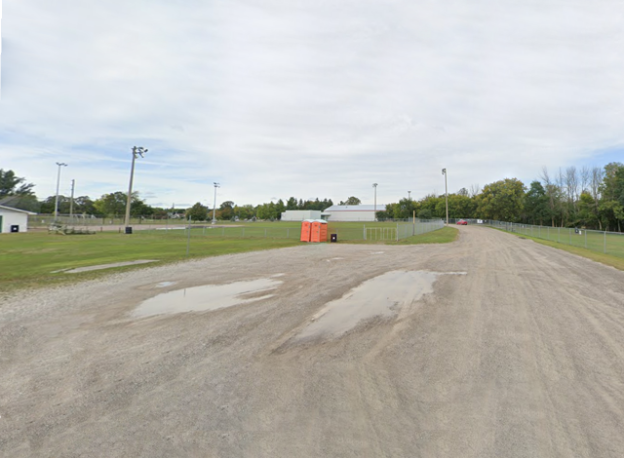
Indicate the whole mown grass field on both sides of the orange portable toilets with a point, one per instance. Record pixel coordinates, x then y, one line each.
29 259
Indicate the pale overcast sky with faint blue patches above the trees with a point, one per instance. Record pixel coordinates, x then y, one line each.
311 98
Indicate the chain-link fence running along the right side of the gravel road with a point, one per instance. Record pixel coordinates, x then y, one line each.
600 241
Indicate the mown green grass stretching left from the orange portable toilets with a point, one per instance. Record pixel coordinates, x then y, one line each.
27 260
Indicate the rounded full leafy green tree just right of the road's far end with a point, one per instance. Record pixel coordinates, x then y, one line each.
502 200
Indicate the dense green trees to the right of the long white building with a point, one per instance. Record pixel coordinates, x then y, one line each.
589 197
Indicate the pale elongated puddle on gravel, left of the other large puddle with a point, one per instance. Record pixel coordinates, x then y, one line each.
207 297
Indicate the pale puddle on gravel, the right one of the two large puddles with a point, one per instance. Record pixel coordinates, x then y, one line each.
381 296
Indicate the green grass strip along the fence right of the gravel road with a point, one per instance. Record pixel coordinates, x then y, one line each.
575 243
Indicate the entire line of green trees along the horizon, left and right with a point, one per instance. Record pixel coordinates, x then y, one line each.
590 197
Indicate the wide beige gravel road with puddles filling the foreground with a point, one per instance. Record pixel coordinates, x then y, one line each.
521 356
